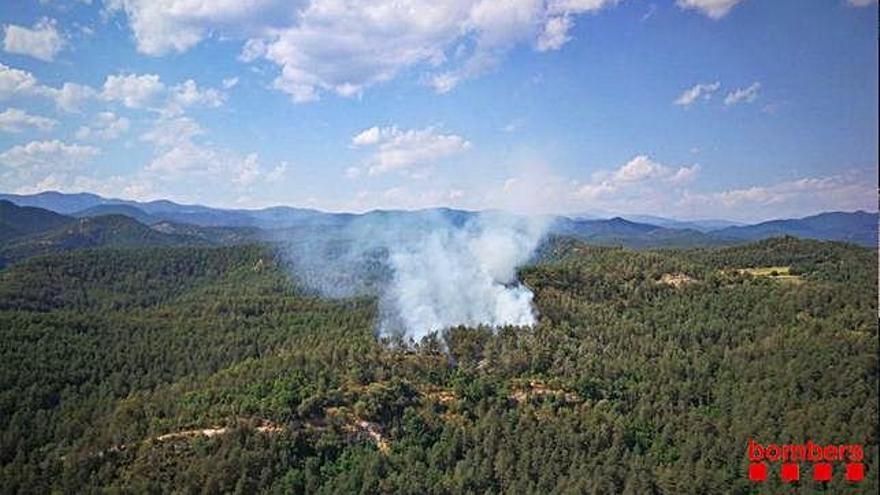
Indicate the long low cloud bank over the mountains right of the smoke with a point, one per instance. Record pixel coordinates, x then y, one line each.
644 186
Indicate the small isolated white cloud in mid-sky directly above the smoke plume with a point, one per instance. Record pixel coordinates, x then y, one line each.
396 149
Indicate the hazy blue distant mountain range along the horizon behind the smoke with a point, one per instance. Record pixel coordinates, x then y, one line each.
51 221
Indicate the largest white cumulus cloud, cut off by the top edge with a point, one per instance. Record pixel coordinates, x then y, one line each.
346 46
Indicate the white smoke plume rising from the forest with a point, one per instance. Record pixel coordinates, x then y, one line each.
430 270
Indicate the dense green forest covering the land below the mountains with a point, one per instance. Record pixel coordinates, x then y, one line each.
206 369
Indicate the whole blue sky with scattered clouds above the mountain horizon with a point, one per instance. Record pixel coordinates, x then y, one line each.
740 109
